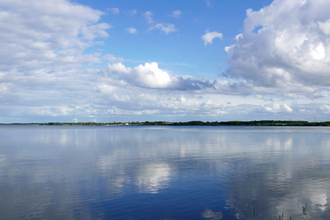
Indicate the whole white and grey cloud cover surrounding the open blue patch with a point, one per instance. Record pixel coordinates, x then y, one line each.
47 70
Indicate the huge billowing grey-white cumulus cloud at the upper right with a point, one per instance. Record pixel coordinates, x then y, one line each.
284 45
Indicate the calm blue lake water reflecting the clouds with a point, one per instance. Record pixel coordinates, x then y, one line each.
63 172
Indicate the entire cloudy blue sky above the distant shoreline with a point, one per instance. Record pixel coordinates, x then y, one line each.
125 60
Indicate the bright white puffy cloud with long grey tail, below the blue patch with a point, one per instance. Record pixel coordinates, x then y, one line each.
150 75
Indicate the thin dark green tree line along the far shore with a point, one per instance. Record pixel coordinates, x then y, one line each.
190 123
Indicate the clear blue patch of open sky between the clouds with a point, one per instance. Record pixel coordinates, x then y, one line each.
183 50
